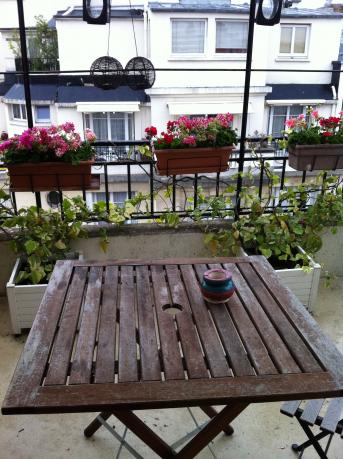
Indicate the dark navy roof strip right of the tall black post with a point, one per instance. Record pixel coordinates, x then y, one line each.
300 91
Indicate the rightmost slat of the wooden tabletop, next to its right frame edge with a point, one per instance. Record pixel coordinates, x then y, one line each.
295 344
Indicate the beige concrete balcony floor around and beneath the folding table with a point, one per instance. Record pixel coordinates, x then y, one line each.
260 432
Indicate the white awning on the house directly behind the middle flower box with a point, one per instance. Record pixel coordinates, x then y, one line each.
206 108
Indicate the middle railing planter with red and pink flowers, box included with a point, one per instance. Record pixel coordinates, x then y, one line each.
196 145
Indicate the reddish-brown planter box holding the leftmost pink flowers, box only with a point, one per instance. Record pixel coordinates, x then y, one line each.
50 176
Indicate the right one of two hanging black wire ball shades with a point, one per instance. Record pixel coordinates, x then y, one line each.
140 73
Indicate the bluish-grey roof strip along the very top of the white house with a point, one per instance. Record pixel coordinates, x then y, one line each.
226 7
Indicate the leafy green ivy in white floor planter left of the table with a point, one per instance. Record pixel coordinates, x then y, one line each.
39 238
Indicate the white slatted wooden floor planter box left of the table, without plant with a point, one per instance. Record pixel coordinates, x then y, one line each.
23 301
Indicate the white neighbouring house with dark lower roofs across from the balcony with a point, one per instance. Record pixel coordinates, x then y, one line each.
199 36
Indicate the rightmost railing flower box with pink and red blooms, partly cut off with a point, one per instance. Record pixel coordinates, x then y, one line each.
315 142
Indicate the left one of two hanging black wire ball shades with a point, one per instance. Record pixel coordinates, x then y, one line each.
107 72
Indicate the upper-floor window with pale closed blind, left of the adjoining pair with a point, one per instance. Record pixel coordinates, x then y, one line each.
188 36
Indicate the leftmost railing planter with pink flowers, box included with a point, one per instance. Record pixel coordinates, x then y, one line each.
49 158
